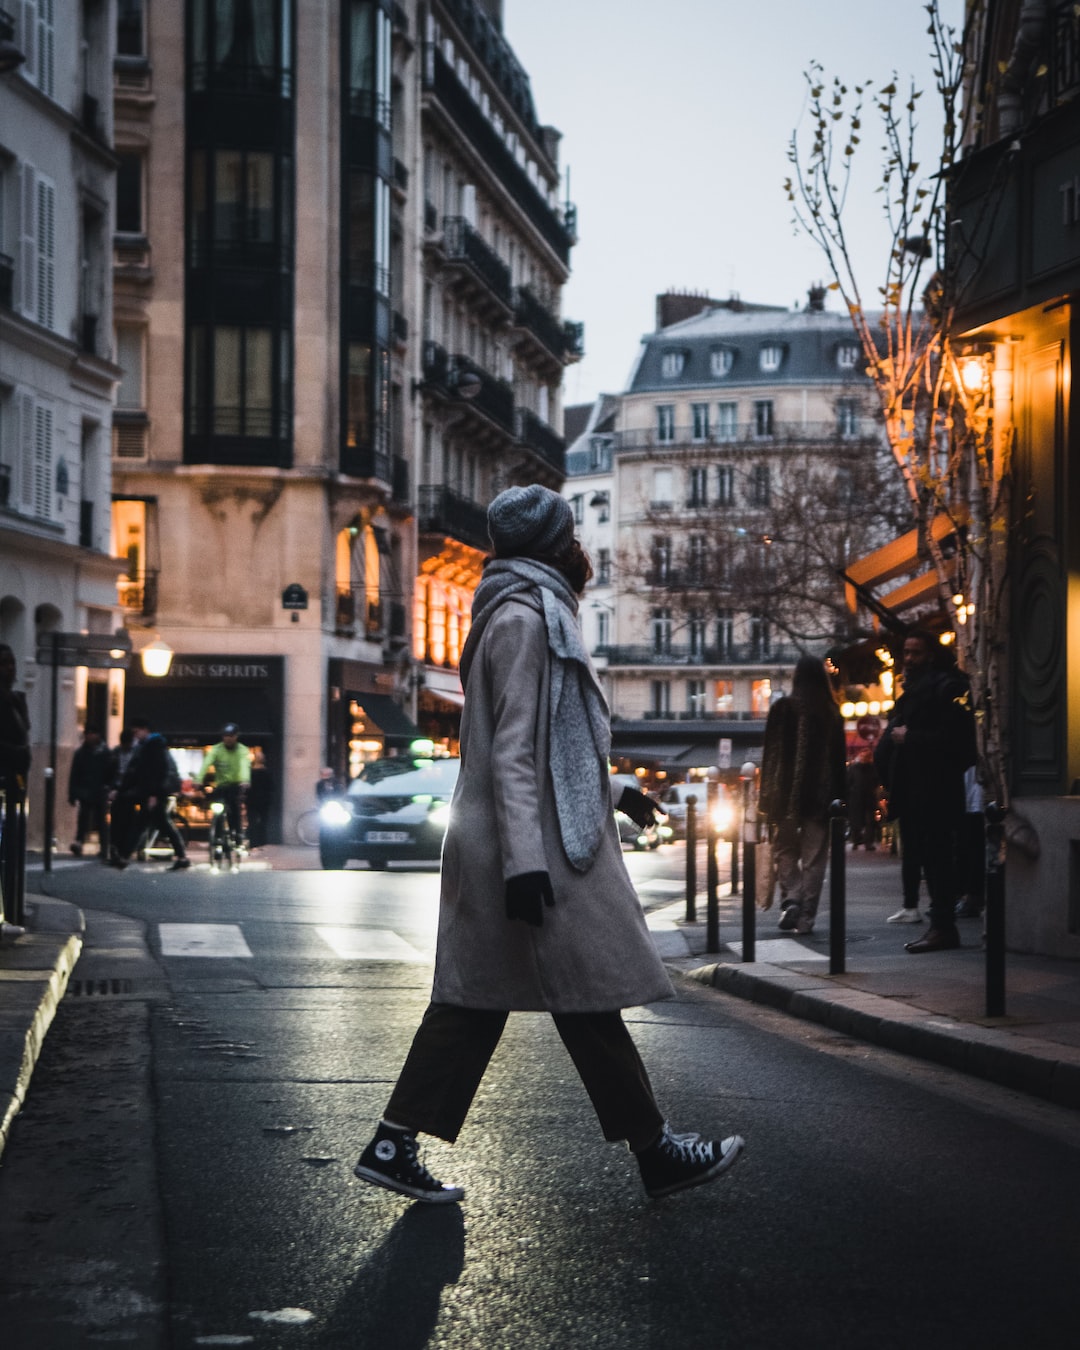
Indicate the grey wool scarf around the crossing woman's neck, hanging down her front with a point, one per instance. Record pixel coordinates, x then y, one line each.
580 723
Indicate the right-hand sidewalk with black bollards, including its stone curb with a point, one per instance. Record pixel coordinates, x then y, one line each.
931 1006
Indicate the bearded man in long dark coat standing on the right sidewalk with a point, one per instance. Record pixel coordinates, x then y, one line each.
923 757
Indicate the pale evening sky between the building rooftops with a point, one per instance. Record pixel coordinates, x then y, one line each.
676 122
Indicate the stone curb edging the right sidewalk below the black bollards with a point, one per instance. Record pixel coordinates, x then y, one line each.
1040 1069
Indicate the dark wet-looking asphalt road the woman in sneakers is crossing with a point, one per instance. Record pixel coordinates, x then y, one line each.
182 1174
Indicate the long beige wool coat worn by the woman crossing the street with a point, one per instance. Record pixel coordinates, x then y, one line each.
593 952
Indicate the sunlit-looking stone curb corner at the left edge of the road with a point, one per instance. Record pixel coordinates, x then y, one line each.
33 981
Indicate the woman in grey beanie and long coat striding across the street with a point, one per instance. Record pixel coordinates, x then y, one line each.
537 909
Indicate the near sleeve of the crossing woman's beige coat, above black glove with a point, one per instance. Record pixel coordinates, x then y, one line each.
516 658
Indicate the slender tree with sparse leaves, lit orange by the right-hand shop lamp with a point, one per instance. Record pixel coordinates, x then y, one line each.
951 438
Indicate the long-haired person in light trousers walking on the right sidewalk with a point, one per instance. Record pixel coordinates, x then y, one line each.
803 772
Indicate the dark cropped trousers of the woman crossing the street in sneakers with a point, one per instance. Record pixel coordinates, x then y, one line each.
453 1047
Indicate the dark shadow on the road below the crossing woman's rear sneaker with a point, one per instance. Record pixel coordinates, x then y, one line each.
395 1299
